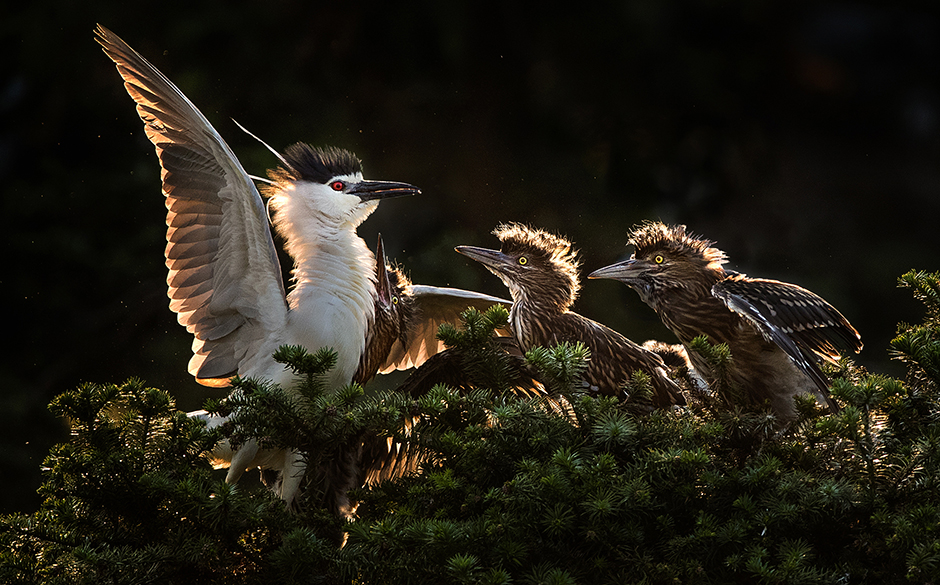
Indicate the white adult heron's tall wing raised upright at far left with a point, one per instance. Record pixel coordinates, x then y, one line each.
224 280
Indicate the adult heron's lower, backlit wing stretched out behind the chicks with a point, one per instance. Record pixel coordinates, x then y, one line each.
433 306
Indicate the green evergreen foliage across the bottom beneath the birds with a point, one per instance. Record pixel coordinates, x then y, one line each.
514 490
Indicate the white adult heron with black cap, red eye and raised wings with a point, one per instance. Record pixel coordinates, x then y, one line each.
224 278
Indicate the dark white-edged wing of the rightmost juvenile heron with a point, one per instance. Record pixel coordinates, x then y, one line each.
798 321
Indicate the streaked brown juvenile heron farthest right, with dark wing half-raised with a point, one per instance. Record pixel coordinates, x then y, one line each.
777 332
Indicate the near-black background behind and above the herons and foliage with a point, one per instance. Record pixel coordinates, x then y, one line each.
801 136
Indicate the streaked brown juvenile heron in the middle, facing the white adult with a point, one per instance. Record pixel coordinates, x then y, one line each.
541 271
